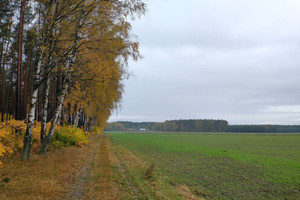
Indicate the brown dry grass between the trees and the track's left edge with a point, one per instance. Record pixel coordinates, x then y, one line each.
44 176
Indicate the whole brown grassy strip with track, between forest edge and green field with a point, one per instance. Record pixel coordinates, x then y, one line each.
101 170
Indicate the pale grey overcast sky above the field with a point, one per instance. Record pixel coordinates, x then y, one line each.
237 60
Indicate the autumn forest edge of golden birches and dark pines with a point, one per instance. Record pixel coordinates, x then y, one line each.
63 61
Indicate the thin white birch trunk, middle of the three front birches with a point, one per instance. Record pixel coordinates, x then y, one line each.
45 110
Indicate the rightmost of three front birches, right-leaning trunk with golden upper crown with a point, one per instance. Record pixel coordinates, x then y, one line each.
114 14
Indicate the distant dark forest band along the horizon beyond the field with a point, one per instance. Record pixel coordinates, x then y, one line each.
197 125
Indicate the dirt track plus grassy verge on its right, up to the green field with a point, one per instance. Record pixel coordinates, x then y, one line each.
112 172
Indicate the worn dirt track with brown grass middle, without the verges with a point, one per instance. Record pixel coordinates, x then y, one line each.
96 179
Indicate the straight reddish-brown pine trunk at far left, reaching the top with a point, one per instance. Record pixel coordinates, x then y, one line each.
20 59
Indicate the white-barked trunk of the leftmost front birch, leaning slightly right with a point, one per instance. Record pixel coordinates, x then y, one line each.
32 107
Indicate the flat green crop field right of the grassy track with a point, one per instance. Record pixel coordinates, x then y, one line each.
221 165
